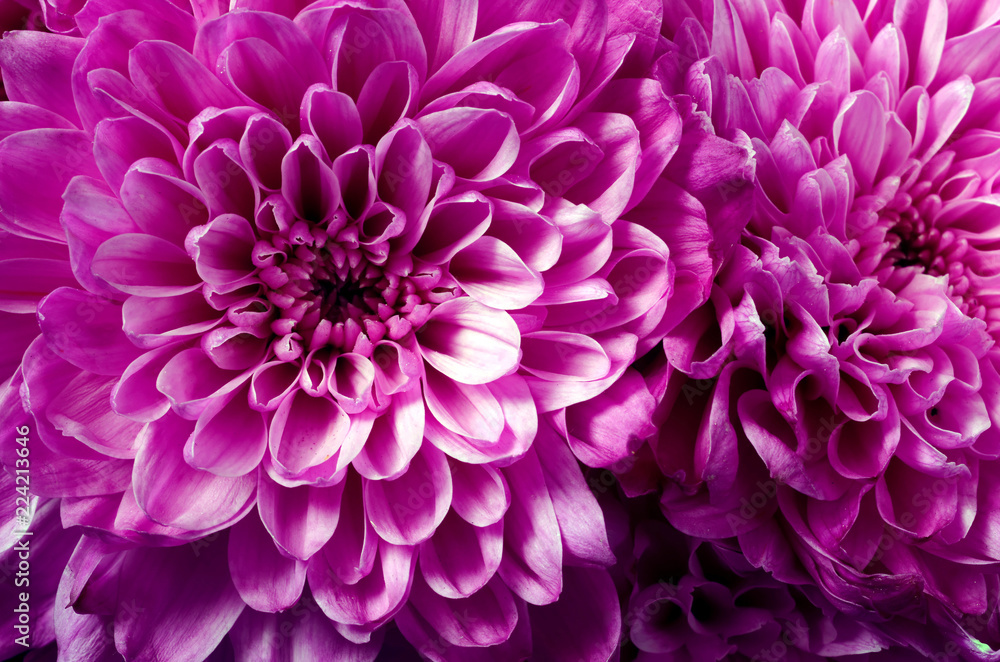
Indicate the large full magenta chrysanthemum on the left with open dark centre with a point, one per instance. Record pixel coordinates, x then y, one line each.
311 288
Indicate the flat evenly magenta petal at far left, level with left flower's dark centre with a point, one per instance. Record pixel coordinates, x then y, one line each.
99 345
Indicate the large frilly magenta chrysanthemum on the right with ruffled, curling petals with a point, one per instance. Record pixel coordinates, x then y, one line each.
835 404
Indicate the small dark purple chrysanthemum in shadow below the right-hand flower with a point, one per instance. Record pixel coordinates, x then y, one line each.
687 599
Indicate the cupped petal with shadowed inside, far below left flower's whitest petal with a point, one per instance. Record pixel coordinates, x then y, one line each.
459 559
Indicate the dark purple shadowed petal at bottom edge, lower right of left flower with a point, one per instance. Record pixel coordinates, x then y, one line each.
588 607
